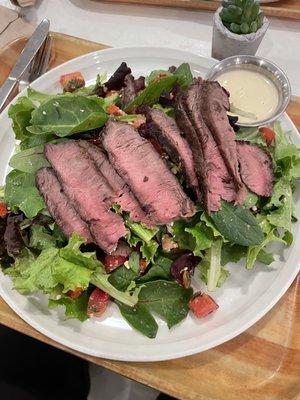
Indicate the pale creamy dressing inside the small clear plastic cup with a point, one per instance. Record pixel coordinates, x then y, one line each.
250 92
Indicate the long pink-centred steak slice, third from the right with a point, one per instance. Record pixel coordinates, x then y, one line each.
212 173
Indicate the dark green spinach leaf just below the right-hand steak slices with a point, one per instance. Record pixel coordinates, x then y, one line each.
238 225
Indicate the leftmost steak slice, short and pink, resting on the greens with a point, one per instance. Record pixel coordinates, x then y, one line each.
59 206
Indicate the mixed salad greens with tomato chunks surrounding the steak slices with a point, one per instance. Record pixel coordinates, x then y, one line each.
155 278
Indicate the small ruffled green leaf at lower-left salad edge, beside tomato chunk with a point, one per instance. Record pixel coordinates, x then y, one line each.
75 308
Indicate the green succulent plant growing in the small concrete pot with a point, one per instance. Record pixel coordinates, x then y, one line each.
241 16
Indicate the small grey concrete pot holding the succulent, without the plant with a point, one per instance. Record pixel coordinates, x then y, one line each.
226 43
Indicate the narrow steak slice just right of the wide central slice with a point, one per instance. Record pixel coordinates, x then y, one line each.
165 130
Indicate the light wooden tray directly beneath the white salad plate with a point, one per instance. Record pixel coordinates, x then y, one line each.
263 363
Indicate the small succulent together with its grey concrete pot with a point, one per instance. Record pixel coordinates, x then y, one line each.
239 26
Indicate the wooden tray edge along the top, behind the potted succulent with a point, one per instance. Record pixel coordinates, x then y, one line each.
282 9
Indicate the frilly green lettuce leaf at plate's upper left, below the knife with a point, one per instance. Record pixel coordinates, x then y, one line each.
20 113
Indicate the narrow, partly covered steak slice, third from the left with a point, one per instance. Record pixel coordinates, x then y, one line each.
124 197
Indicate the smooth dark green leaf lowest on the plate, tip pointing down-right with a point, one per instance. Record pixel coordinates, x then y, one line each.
139 318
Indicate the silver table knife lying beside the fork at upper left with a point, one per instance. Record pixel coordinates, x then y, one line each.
30 50
